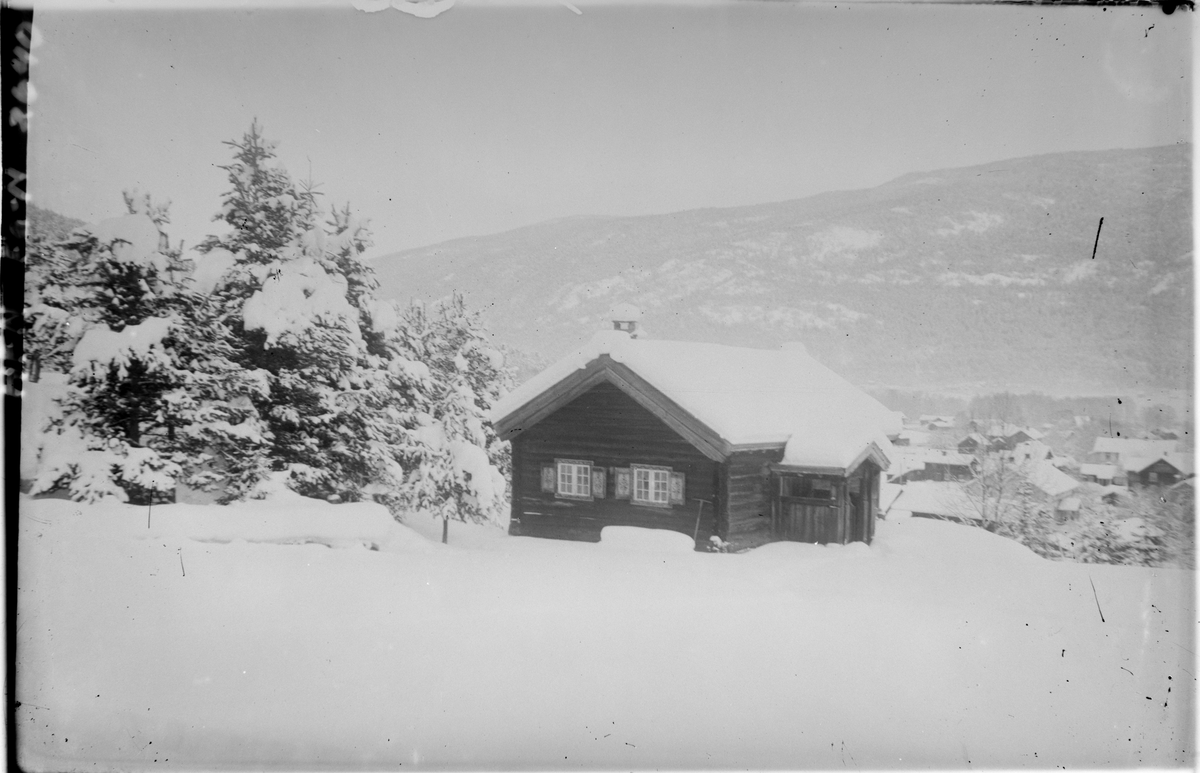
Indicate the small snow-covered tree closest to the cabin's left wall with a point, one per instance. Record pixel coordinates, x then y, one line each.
464 470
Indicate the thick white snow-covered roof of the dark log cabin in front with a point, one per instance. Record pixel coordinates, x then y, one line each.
746 397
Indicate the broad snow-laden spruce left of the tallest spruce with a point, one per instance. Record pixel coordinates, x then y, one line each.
151 379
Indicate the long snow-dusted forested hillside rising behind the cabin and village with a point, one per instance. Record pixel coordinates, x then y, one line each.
971 280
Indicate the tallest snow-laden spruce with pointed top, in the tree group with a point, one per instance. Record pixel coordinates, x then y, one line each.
299 301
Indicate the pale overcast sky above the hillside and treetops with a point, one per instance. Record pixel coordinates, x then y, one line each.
490 118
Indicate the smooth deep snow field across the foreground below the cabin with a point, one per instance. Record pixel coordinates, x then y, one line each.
272 634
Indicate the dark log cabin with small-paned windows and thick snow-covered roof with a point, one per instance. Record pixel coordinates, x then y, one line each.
748 446
